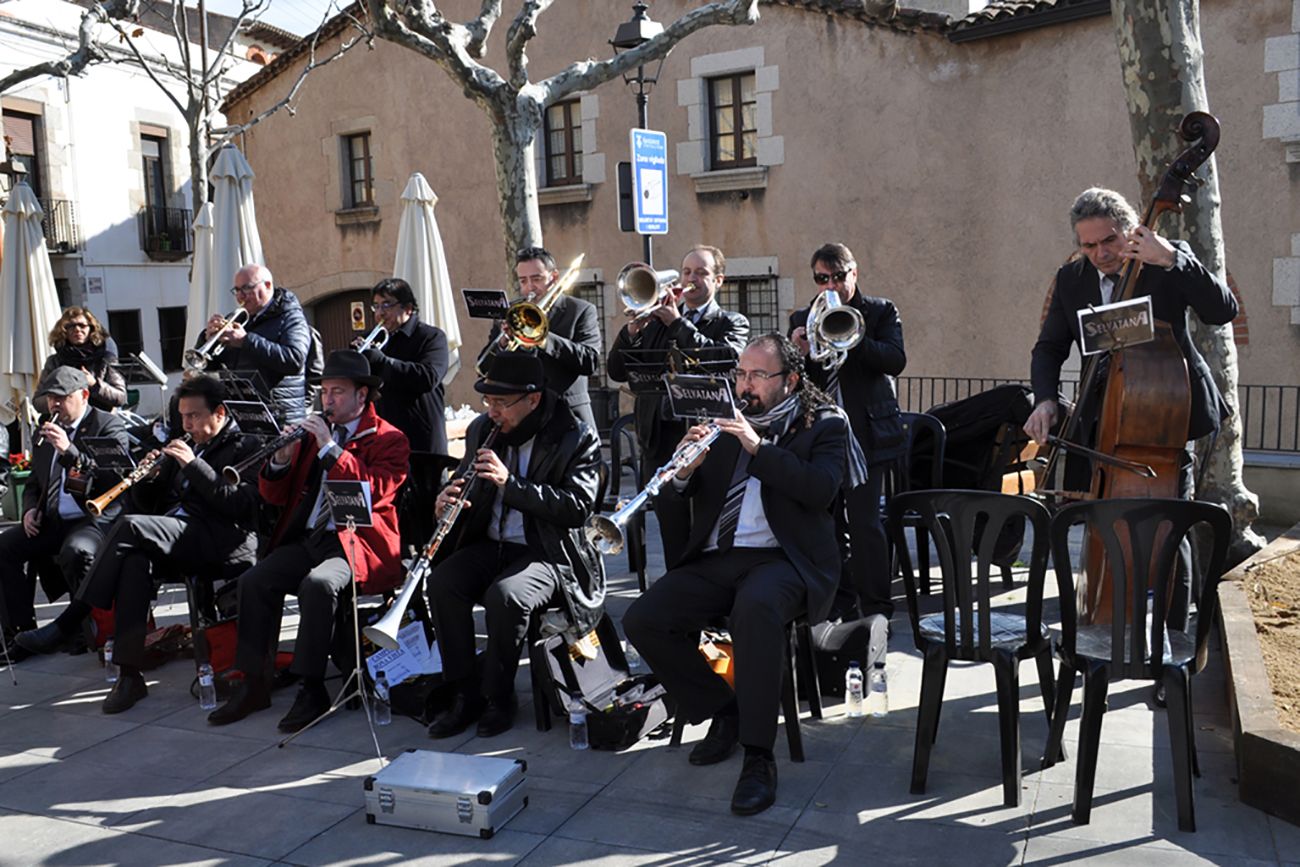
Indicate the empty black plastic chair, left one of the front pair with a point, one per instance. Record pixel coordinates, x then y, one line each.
969 628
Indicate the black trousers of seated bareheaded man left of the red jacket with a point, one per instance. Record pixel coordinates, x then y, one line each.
137 549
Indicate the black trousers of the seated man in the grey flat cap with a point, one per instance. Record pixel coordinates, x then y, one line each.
73 545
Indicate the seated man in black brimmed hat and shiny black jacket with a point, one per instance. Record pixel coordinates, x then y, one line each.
518 545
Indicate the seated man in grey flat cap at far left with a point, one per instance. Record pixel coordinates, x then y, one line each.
55 523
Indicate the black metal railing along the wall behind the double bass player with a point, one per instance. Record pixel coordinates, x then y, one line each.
1271 414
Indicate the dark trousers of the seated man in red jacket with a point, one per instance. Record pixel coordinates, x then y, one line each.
315 570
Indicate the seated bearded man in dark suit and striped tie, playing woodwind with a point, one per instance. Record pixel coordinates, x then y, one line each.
756 513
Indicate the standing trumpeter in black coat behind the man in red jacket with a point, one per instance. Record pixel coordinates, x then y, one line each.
413 365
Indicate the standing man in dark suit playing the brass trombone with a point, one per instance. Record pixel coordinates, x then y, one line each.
573 348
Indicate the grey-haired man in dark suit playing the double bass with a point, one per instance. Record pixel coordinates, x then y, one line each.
1108 233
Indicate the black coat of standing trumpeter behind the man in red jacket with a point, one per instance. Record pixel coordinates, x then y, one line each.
413 366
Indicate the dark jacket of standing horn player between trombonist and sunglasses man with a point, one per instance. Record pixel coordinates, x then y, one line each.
718 337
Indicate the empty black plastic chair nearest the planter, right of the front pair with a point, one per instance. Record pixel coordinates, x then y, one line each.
1154 530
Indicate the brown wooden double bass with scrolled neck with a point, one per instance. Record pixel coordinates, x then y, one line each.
1146 393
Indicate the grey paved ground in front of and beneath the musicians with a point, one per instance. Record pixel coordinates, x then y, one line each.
157 786
